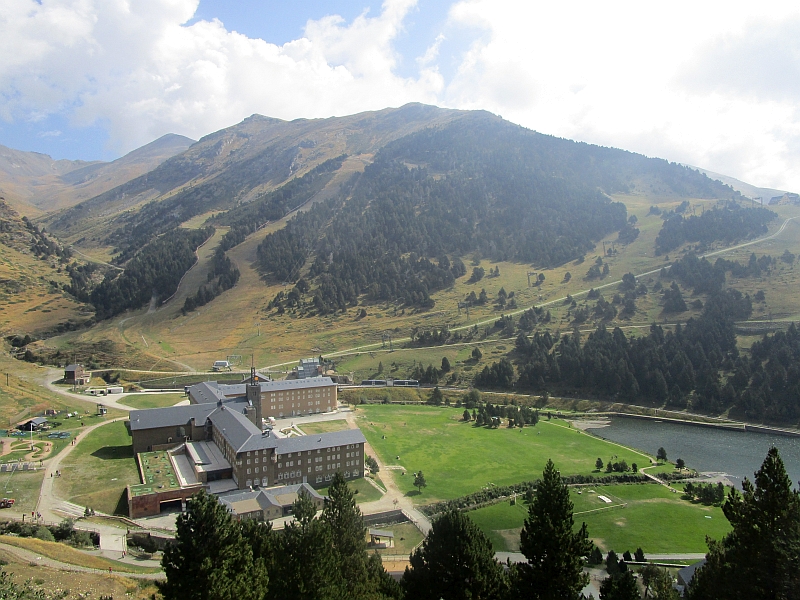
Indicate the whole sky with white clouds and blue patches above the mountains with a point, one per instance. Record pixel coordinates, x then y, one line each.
711 84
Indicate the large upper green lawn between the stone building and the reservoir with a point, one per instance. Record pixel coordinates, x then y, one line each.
458 458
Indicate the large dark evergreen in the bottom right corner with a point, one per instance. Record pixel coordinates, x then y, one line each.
766 525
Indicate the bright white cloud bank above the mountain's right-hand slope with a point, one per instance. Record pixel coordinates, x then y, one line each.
664 80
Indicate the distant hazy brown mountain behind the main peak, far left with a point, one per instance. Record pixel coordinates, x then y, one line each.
35 183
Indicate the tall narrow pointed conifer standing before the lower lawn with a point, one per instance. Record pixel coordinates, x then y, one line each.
555 552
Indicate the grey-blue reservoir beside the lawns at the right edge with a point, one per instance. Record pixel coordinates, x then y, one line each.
737 453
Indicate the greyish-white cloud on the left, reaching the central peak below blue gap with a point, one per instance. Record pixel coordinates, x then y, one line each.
139 68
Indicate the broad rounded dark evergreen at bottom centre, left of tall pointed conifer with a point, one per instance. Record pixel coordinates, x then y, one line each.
456 561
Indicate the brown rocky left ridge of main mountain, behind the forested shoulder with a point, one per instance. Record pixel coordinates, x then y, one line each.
233 166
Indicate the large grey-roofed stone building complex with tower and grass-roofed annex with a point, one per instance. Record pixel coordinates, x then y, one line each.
221 444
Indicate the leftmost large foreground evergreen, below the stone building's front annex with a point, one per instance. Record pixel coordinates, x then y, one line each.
209 560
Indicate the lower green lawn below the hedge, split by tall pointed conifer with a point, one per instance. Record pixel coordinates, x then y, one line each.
647 516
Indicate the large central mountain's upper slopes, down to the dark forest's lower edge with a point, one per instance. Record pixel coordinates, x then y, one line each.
382 194
